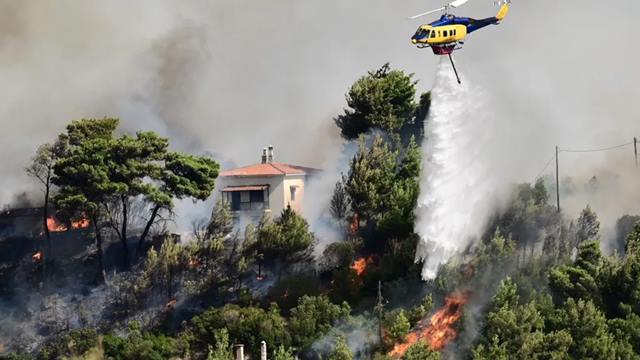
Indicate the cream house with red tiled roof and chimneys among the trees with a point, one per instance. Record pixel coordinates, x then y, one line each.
267 187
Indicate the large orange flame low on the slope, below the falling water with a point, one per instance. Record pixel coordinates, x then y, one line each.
439 332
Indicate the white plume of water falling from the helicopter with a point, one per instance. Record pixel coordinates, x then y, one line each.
458 191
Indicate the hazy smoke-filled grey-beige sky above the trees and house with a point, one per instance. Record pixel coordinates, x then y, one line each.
230 77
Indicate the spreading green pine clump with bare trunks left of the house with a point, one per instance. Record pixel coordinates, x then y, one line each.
99 176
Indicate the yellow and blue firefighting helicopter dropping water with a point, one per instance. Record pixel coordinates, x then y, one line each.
446 34
